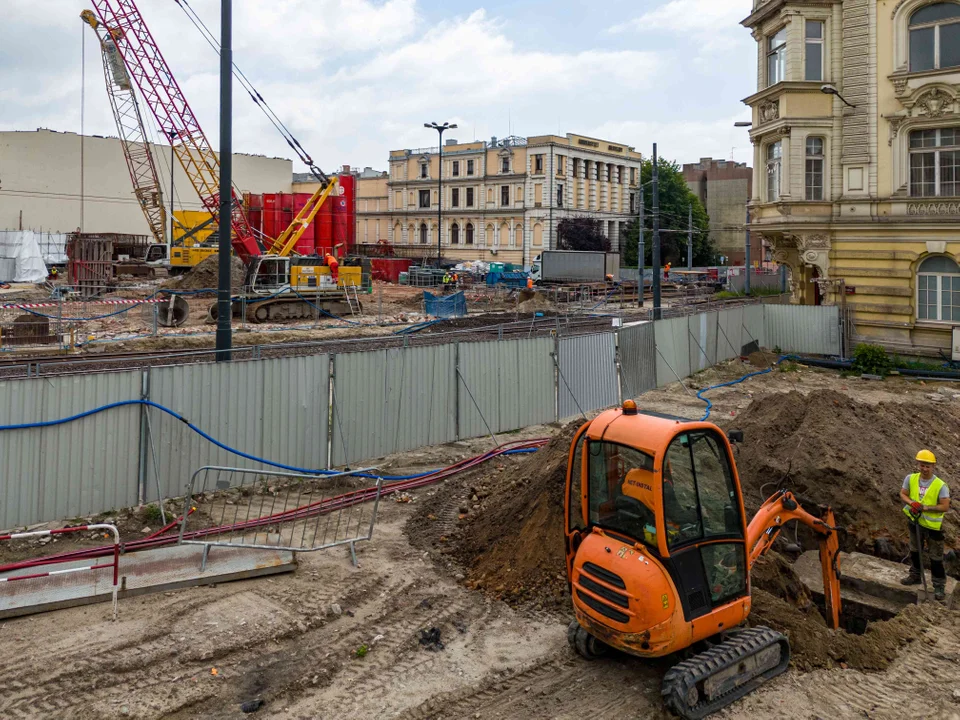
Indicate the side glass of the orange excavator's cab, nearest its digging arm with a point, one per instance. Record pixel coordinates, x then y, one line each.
699 497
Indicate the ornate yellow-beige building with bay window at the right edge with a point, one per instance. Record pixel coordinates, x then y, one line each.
862 200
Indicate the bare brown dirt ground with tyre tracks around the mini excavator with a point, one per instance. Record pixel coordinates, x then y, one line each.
332 641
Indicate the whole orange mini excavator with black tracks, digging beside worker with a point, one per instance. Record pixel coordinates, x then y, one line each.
659 552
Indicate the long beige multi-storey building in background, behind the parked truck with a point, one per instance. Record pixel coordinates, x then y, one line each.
502 199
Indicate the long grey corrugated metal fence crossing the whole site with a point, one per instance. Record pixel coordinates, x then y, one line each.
321 411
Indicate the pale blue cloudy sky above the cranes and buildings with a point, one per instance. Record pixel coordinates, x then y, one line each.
354 79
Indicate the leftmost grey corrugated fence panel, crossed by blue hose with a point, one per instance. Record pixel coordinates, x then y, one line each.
78 468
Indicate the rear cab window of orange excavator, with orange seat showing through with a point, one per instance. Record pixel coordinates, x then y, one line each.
621 488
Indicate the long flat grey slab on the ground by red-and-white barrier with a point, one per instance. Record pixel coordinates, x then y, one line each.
141 572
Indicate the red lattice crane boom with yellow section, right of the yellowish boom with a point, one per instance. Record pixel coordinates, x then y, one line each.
162 94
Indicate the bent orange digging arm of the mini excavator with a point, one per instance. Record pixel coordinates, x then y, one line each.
766 525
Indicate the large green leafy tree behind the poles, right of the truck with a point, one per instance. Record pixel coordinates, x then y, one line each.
675 198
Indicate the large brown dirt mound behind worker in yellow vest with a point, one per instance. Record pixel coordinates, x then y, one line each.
830 449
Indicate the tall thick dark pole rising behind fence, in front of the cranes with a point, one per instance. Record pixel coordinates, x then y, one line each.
224 314
